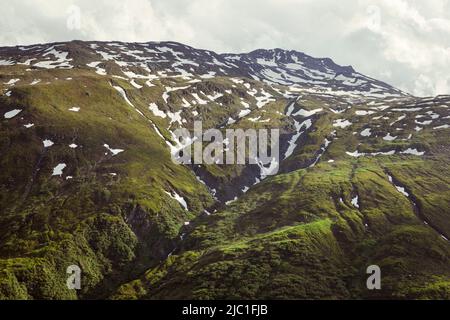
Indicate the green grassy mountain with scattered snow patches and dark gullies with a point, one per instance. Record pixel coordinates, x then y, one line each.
87 179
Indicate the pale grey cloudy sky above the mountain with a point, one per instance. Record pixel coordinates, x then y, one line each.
403 42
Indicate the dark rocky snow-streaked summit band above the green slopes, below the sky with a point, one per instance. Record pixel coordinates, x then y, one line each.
275 66
